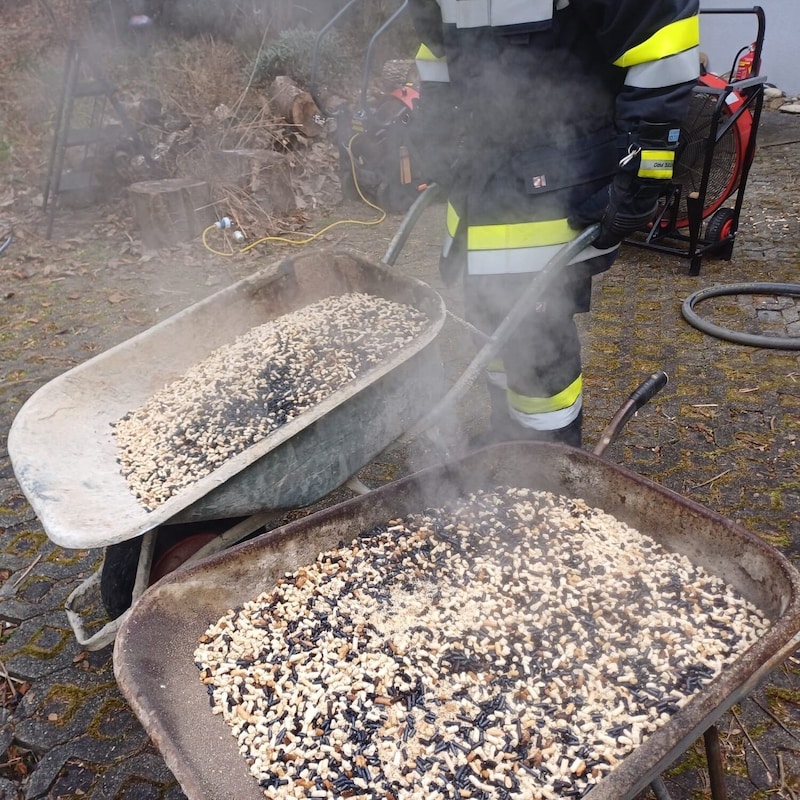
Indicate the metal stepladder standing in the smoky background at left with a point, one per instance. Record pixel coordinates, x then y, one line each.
86 96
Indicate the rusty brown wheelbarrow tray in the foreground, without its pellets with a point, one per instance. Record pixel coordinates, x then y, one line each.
153 654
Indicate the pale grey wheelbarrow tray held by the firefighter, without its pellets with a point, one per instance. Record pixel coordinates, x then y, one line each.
65 458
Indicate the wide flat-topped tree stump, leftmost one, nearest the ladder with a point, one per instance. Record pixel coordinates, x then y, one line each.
171 210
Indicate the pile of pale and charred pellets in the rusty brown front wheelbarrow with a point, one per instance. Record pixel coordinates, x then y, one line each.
517 645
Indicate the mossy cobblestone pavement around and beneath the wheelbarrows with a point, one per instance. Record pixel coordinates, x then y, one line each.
724 432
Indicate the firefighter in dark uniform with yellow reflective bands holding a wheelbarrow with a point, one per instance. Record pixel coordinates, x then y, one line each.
547 115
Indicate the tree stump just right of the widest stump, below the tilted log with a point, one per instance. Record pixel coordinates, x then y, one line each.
264 174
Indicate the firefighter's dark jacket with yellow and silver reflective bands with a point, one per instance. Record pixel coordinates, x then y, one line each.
551 98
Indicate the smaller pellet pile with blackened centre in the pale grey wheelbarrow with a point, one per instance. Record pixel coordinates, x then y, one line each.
244 391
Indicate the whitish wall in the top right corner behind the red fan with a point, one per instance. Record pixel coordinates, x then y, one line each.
721 37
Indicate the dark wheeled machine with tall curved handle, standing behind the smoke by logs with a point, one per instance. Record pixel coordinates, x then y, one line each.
376 155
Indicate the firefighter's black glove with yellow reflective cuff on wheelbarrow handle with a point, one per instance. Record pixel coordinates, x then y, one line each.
643 177
